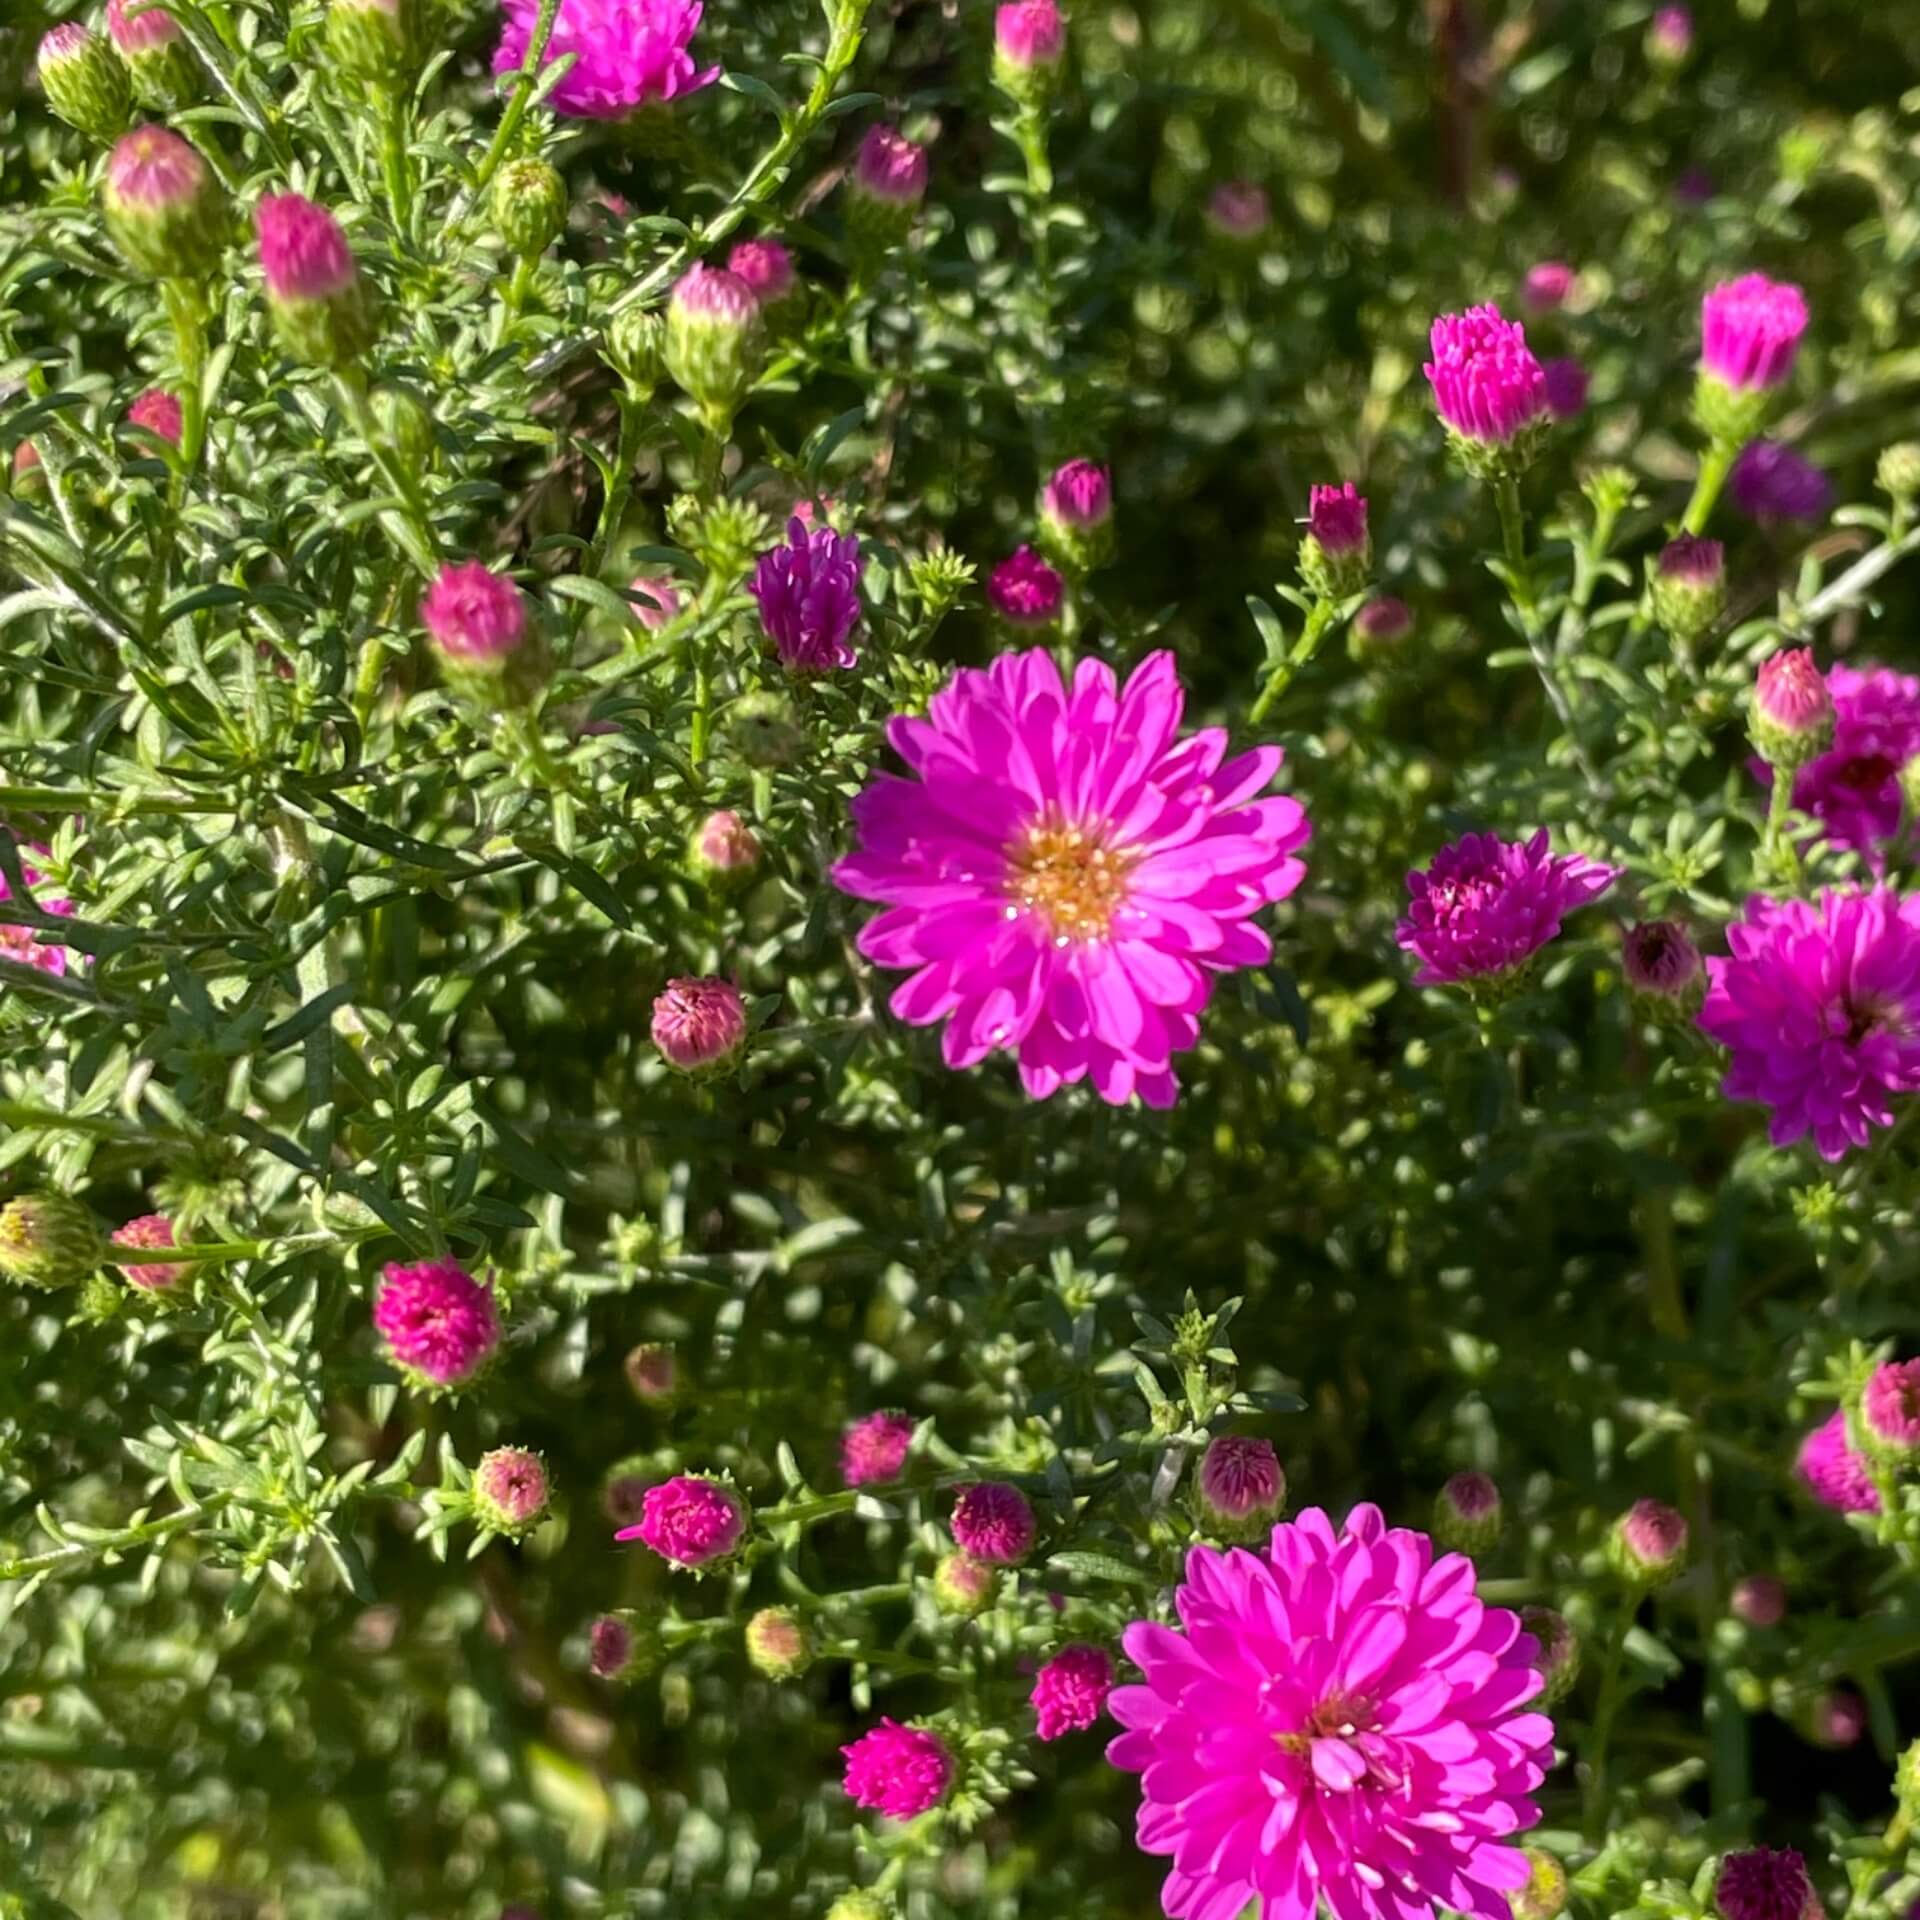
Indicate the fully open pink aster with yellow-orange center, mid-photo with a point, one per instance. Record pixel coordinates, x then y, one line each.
1063 876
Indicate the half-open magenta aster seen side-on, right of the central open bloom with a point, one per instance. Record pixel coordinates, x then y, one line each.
1487 905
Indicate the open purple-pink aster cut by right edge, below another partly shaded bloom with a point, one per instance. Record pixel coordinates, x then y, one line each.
1819 1005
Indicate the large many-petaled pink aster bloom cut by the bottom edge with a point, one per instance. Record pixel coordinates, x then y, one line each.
1339 1719
